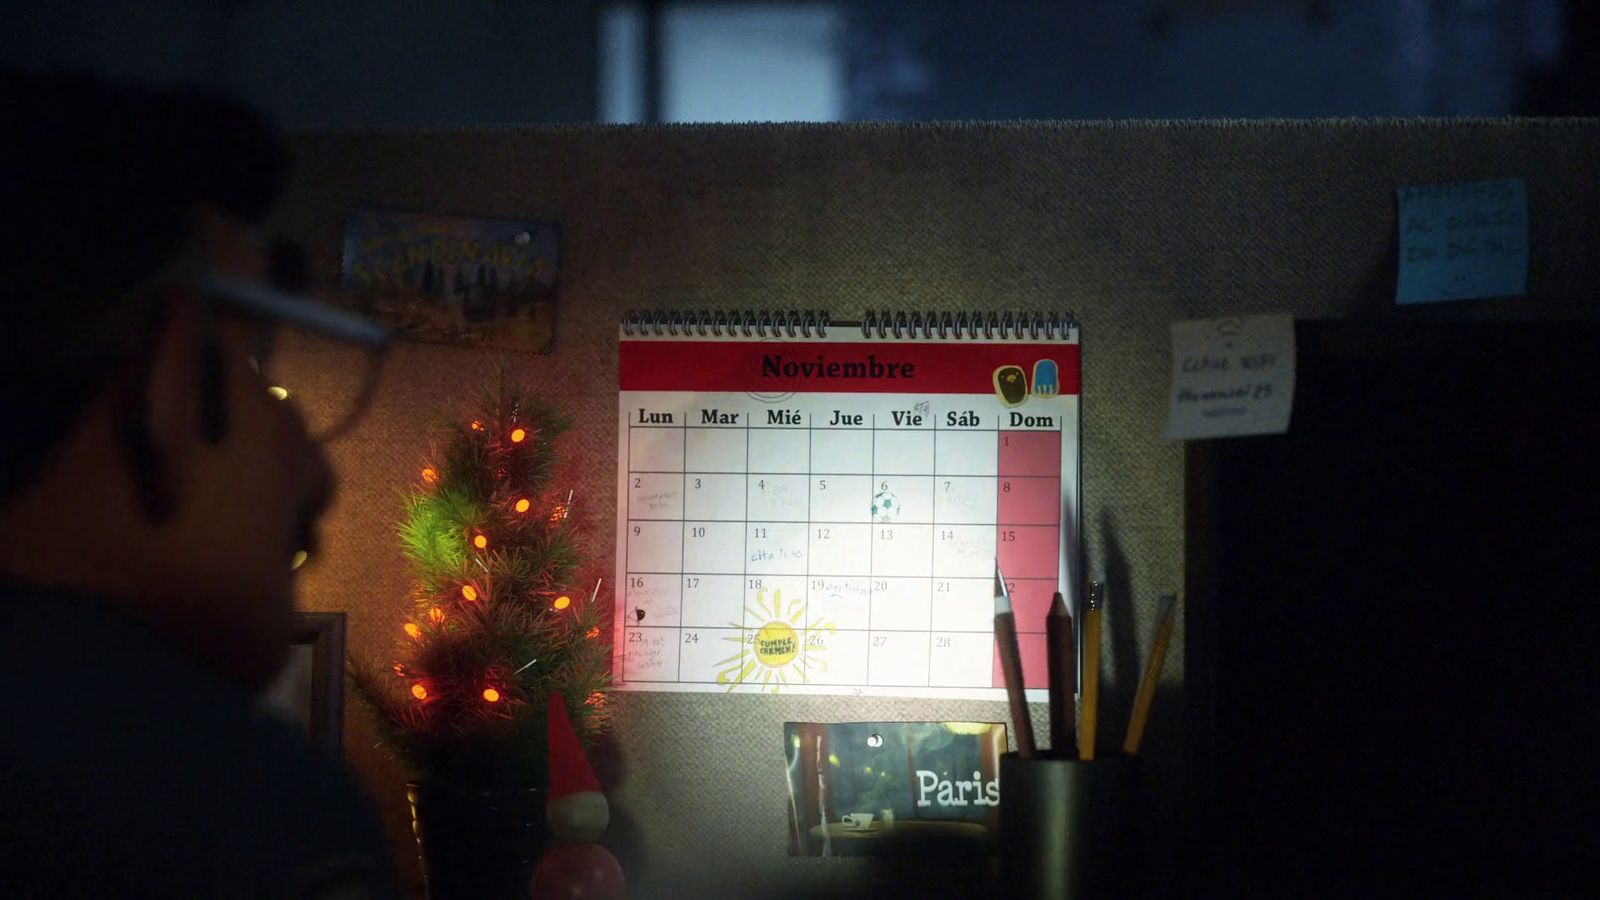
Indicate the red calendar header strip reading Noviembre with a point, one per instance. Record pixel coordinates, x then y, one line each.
844 368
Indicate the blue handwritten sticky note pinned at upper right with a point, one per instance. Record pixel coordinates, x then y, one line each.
1463 241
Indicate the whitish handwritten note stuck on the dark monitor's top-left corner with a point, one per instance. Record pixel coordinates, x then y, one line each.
1231 377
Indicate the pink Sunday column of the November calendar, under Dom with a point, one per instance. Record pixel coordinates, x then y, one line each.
1028 537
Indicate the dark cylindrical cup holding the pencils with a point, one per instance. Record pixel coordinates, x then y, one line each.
1066 827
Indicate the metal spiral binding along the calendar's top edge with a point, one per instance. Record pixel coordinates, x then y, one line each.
881 324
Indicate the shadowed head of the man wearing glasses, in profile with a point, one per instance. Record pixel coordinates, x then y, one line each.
143 457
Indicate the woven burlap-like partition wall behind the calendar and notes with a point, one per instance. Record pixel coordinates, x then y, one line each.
1127 225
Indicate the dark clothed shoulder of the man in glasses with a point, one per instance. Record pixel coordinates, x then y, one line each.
129 757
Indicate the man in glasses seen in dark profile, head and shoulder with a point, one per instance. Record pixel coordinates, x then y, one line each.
153 496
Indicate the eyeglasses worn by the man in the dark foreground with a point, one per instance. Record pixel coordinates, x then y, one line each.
322 360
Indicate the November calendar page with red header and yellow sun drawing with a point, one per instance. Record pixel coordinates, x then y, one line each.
825 515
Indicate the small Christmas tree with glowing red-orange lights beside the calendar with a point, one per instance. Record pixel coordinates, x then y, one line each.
500 621
